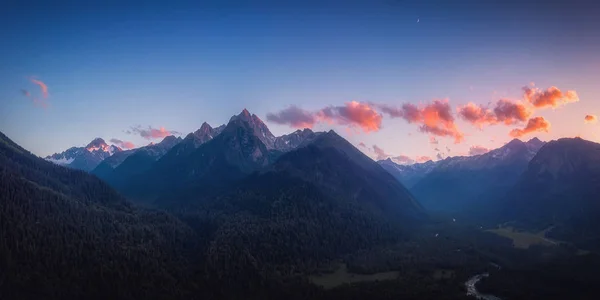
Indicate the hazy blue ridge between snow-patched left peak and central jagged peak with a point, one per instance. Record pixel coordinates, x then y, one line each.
135 161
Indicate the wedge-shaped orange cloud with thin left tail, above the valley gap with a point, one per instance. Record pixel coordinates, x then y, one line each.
435 118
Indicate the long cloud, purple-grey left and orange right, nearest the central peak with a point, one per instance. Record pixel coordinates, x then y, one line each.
352 114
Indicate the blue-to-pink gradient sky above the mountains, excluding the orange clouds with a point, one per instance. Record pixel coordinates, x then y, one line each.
109 66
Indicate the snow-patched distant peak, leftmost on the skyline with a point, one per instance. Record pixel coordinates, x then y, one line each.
85 158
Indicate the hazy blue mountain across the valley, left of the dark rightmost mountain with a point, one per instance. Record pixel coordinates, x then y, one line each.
458 182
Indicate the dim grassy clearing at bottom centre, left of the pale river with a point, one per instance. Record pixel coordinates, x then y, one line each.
341 276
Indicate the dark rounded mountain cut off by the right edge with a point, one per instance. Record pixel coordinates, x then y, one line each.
560 188
